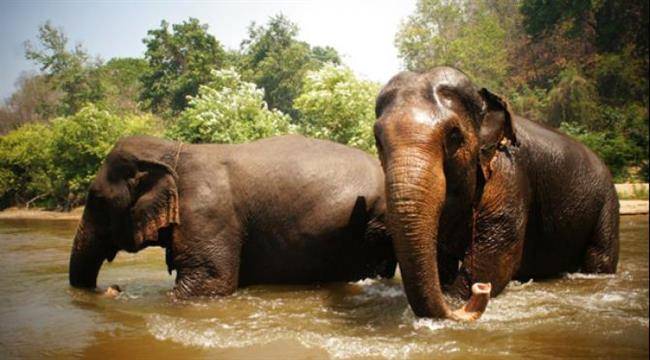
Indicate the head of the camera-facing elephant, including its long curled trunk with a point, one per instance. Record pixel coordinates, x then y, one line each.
436 135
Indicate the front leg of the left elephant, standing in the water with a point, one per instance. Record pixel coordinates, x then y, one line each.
210 267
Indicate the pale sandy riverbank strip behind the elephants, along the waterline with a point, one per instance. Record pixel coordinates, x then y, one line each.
628 207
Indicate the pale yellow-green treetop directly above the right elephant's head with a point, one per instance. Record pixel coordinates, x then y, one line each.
453 33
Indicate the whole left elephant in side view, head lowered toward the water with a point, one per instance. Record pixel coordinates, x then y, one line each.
280 210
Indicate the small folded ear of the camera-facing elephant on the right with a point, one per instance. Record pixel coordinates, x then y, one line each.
496 129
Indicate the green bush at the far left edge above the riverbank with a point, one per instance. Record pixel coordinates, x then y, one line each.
25 167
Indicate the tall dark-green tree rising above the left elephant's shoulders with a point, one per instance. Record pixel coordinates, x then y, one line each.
179 61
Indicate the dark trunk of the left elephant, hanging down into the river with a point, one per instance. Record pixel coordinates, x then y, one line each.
87 255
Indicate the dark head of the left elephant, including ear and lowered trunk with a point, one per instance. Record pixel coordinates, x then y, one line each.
131 199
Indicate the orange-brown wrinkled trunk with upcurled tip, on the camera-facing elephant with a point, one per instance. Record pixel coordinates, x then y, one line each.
415 188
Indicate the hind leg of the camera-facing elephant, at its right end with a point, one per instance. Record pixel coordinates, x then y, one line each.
602 250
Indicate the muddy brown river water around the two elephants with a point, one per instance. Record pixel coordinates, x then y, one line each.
576 315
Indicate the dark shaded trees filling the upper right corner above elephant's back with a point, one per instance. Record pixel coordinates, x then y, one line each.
593 57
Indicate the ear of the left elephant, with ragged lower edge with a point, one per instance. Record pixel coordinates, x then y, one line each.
155 203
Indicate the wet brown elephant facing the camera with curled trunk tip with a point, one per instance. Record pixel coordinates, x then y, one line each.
476 194
